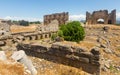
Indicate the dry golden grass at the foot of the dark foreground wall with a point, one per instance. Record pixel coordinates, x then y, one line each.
45 67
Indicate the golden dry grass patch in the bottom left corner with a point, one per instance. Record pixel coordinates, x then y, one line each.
11 68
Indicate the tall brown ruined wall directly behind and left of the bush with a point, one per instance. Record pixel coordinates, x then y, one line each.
61 17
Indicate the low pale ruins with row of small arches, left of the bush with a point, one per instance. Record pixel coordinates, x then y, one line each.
14 34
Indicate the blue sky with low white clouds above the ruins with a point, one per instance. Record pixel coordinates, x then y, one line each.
36 9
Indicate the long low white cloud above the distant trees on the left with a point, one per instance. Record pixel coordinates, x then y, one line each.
22 18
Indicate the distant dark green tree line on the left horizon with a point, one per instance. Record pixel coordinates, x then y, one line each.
22 22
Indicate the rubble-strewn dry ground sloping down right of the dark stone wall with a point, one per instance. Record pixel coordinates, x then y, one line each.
110 47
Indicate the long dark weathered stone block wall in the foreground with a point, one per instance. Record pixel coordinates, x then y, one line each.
77 57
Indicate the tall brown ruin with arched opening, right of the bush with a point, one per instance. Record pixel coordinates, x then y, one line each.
109 18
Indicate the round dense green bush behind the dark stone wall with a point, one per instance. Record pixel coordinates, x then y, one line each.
73 31
